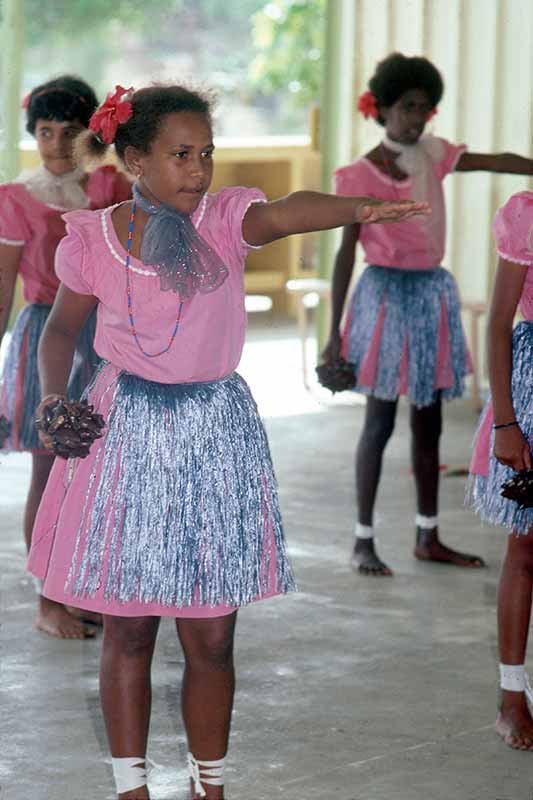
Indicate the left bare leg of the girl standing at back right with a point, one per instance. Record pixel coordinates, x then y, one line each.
378 426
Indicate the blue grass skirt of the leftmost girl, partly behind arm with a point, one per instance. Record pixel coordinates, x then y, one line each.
20 391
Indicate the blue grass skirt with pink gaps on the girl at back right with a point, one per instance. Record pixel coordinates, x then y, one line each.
404 335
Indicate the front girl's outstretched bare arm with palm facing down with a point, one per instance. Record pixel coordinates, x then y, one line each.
302 212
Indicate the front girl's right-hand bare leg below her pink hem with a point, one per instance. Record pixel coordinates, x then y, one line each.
208 688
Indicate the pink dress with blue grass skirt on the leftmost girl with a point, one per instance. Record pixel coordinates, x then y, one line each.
38 228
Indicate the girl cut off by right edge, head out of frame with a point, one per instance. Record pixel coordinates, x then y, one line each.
503 445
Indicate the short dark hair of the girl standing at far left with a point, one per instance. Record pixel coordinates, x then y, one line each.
62 99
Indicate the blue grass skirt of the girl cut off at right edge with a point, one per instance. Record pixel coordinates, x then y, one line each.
486 474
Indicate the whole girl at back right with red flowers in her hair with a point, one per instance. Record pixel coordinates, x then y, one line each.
403 328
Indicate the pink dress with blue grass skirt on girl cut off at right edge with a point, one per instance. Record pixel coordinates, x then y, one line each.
513 231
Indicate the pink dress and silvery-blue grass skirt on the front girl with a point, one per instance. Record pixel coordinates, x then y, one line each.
220 559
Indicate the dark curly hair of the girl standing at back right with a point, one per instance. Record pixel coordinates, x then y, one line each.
398 74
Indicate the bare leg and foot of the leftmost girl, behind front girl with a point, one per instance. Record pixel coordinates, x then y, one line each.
52 617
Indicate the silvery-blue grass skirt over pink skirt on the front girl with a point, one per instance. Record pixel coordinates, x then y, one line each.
174 512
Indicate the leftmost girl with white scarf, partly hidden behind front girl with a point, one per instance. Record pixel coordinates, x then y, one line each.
31 227
